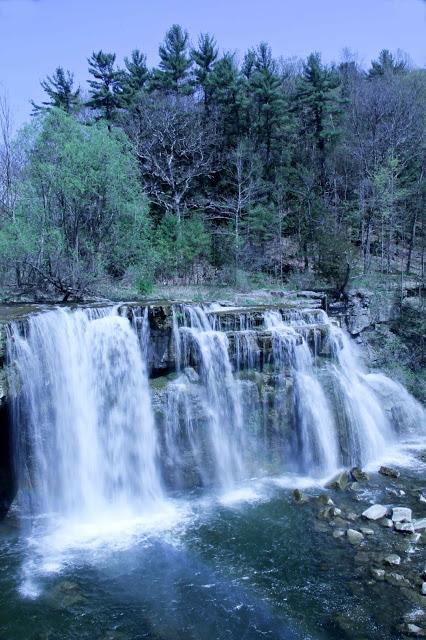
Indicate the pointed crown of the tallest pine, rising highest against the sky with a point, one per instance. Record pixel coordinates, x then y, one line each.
175 63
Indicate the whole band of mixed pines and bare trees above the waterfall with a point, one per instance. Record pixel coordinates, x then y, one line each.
207 168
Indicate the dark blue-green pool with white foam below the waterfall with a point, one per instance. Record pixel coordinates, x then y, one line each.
258 567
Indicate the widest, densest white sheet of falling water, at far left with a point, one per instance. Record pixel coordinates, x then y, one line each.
87 441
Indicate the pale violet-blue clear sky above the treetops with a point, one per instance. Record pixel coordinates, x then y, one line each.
36 36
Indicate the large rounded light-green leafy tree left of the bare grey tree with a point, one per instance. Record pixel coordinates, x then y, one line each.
80 208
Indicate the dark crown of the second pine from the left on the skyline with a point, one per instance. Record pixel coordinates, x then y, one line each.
105 92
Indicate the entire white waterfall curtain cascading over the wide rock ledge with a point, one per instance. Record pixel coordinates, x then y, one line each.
248 398
